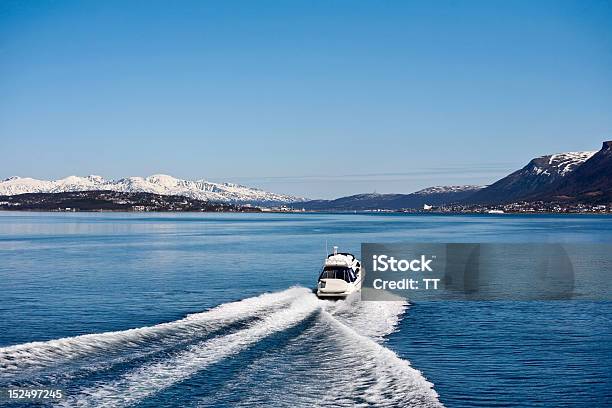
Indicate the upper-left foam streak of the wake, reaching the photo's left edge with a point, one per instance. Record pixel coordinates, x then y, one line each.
36 355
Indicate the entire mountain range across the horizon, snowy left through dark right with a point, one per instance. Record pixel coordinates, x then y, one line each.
574 177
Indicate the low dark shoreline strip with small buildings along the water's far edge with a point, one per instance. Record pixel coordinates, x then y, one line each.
141 202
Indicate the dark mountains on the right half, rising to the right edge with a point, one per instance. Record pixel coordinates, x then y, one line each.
584 177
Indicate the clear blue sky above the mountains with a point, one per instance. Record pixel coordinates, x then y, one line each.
314 98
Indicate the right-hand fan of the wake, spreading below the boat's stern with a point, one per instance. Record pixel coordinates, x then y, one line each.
338 361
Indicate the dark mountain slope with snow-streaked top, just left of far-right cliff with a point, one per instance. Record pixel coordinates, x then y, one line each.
538 175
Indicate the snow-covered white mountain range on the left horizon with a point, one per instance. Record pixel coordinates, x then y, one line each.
157 184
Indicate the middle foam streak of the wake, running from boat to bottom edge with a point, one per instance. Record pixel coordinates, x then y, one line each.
155 377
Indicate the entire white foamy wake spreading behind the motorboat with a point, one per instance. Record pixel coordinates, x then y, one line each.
291 348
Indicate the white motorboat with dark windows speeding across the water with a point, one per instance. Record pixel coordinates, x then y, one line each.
341 275
